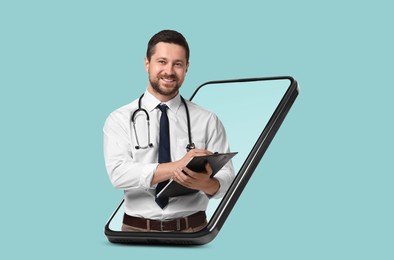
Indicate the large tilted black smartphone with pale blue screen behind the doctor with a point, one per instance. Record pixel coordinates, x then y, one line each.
251 110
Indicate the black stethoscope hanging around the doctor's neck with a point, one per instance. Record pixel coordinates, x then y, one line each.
189 147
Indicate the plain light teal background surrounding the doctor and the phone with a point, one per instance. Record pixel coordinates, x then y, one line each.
324 189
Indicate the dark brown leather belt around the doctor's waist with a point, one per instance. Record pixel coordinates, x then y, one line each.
195 220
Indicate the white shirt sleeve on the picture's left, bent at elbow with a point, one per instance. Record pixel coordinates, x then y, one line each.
124 173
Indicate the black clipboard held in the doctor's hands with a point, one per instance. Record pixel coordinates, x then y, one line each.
197 164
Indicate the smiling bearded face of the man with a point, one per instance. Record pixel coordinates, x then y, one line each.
167 70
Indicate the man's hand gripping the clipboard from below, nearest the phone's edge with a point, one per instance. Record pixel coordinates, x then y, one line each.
197 180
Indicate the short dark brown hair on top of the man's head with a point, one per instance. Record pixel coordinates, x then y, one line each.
168 36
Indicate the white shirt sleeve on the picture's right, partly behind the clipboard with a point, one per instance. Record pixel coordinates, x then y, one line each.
217 142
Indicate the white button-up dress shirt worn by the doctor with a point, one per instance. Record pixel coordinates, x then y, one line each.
132 169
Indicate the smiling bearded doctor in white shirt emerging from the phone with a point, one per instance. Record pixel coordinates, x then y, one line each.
141 158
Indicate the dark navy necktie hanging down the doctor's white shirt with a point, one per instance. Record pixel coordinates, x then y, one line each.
164 151
